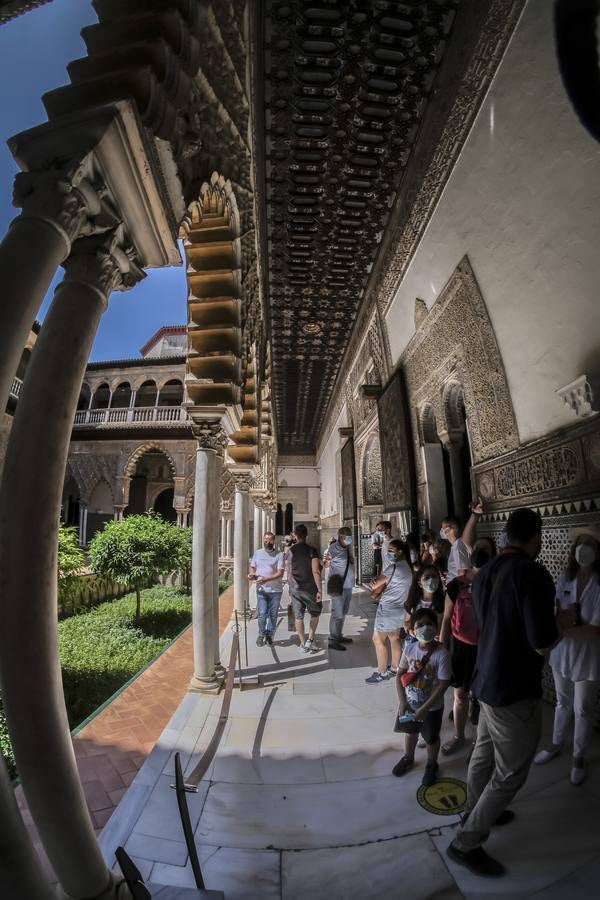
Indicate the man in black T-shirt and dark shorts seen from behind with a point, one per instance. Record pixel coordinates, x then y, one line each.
304 567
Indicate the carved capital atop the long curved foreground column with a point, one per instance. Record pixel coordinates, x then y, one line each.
102 263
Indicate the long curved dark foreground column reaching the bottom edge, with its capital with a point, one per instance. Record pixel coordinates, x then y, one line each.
31 494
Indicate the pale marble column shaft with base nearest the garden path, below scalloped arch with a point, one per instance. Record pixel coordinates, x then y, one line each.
206 511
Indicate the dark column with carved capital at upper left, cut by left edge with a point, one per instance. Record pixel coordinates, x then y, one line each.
37 241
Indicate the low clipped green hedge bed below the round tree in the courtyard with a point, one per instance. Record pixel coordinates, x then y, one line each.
102 649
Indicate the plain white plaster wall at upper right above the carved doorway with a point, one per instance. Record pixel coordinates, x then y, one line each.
523 203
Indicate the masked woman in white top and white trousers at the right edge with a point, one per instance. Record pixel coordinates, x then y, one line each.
575 661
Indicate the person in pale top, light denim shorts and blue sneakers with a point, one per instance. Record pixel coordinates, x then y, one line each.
389 618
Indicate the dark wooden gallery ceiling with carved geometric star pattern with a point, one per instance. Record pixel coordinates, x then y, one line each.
346 85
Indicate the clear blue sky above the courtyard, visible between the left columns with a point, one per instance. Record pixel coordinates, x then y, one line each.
34 52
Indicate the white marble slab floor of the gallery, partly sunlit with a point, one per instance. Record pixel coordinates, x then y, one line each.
300 799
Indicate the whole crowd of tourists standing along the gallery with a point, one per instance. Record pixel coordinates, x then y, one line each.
453 610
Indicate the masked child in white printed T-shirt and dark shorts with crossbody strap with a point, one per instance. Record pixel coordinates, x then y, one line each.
422 681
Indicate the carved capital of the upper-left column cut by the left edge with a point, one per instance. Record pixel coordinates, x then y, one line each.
64 197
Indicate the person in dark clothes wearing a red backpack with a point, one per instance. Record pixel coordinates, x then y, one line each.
460 632
